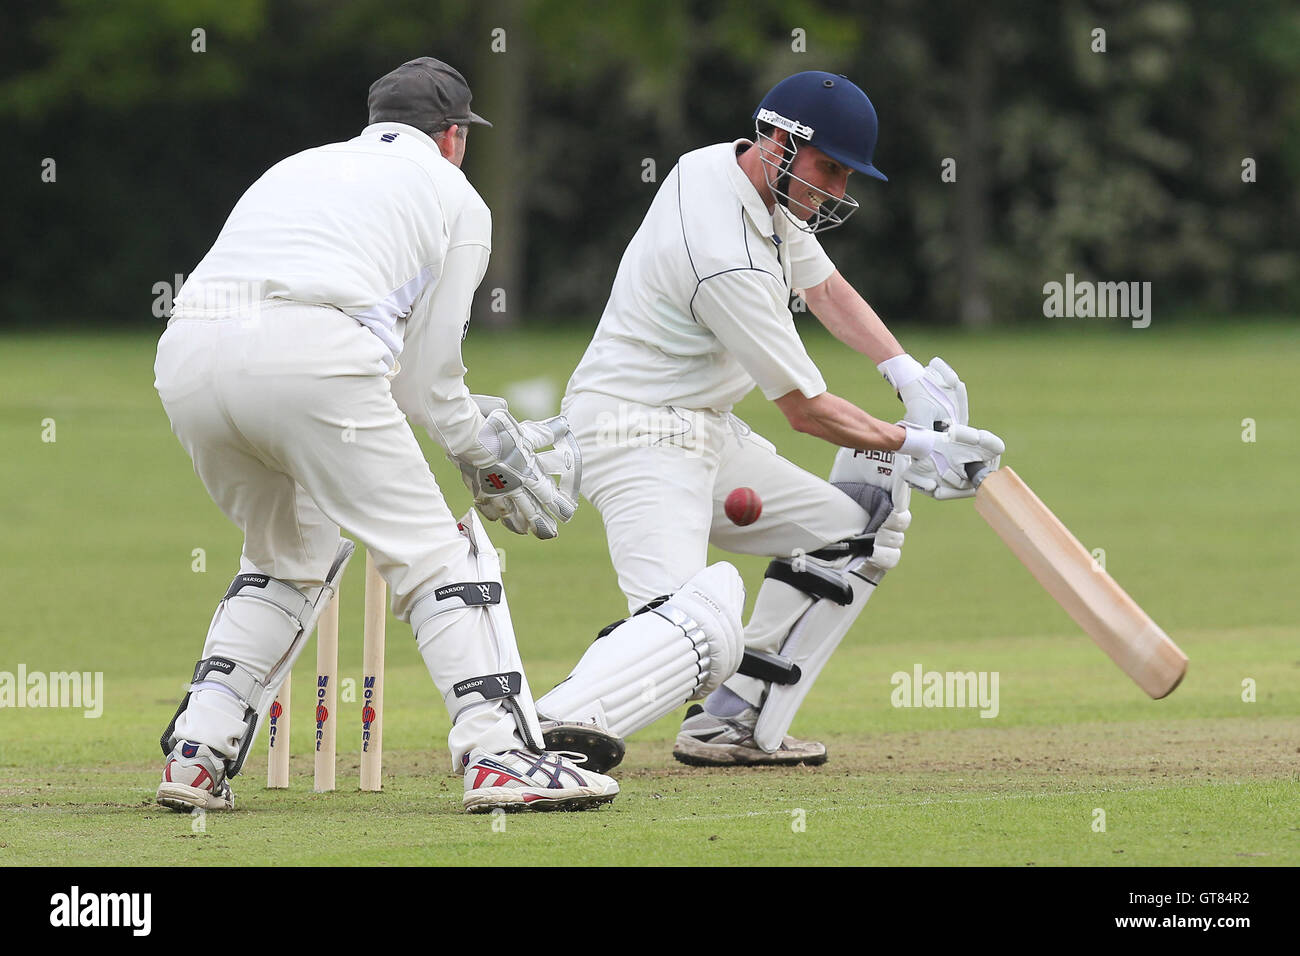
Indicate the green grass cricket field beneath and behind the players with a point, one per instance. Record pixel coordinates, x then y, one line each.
1134 438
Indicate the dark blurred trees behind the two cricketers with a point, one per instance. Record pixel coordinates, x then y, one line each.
1119 166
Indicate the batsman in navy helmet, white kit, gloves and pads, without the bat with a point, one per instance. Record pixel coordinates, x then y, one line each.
697 318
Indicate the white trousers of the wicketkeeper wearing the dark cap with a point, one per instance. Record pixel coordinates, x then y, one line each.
289 419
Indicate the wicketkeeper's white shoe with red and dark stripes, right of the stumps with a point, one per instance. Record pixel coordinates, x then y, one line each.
526 781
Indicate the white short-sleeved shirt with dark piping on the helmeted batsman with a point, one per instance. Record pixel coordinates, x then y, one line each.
700 309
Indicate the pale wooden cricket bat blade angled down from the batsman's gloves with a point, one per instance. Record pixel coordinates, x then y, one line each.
1080 585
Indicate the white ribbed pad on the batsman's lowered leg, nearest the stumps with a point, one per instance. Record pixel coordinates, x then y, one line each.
657 661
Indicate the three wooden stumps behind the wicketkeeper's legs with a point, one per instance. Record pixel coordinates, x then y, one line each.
327 697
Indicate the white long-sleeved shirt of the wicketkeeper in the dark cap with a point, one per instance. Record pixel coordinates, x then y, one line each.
383 228
